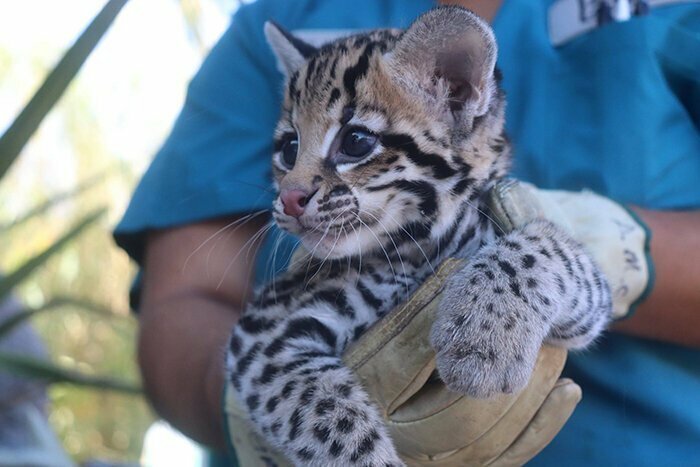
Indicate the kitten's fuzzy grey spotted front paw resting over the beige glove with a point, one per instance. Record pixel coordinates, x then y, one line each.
485 342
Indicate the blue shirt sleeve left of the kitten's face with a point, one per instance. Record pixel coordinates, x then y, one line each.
216 160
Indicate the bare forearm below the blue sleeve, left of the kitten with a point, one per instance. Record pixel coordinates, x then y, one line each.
186 317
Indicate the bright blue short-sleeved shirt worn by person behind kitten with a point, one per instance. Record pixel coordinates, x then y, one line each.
616 110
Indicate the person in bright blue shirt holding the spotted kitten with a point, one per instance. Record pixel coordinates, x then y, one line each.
603 99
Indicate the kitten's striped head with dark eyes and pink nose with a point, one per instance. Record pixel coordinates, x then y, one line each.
387 133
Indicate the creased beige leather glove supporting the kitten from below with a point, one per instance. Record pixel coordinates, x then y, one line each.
431 426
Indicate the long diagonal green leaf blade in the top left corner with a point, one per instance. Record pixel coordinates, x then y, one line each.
56 82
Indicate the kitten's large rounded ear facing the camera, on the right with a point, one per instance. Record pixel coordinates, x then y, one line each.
450 54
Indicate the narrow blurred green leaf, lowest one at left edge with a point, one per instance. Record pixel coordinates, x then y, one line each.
40 369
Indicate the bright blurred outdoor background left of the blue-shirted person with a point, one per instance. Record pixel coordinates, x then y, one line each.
85 156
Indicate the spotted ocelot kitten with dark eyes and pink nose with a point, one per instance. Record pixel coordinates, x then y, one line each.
386 143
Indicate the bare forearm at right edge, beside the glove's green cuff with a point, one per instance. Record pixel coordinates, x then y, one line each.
672 310
